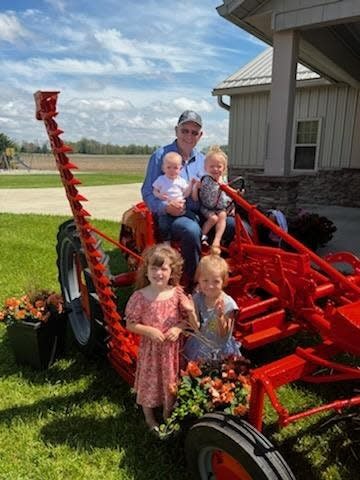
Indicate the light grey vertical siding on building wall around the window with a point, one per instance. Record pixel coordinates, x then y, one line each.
336 106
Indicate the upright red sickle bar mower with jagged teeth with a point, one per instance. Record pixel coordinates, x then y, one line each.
122 345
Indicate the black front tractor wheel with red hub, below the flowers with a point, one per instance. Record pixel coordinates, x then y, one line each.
255 458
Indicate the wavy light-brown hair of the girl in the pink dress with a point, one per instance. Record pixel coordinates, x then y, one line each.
157 255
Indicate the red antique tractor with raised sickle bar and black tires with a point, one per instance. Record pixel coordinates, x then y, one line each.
281 293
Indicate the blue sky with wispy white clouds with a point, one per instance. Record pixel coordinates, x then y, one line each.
125 69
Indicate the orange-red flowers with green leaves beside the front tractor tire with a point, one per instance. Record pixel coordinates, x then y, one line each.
208 386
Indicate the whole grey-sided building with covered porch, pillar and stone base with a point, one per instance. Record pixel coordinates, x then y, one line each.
294 110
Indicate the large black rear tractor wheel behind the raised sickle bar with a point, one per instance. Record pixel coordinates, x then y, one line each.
81 301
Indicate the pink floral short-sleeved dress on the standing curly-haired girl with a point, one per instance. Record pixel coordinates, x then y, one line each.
158 363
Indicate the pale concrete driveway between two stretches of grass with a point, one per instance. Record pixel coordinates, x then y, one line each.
105 202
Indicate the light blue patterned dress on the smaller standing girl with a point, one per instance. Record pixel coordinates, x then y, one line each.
208 344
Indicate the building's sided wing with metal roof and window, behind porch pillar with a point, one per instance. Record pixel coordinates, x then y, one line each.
325 147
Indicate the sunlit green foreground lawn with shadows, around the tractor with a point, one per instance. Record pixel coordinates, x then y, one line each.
77 420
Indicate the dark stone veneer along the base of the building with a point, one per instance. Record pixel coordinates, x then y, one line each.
327 187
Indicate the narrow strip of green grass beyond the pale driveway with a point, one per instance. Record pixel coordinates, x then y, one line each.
53 180
